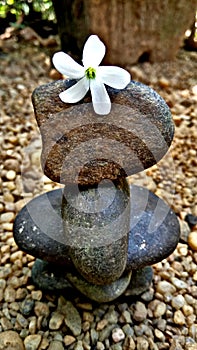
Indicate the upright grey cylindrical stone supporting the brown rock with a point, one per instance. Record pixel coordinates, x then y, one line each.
96 224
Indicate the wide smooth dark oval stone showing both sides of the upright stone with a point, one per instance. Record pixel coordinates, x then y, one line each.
154 229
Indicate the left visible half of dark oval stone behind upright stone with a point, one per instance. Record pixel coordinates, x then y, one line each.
38 229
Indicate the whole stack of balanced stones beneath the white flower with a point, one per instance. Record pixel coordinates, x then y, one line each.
99 234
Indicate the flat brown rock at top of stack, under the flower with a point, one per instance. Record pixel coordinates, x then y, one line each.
84 148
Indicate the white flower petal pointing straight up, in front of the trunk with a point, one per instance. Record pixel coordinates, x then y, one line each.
93 52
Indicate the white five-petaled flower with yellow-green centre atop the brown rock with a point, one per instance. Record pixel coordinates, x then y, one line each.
91 75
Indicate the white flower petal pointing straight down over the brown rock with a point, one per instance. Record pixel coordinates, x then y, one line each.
100 98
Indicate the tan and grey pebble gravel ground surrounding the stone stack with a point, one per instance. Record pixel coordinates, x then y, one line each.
164 317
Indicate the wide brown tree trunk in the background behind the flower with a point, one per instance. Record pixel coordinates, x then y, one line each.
133 30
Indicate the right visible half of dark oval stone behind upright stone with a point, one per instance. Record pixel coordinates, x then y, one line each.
154 232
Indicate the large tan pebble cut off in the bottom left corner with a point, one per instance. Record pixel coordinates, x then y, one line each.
10 340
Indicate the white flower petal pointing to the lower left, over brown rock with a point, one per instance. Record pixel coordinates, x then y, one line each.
76 92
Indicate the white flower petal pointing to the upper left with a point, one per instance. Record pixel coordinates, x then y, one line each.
67 66
